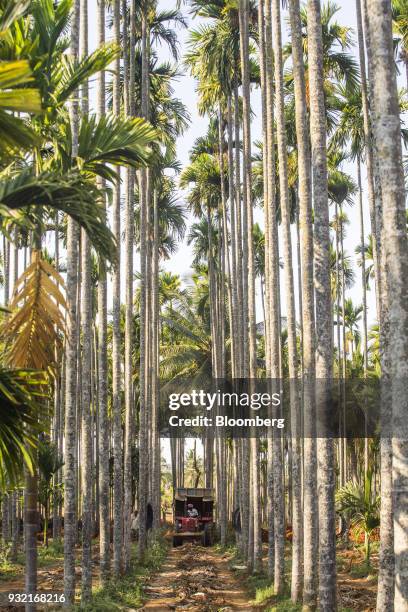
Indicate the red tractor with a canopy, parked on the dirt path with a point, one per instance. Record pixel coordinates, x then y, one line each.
199 527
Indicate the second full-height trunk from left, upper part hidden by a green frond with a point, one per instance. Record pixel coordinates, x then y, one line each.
86 362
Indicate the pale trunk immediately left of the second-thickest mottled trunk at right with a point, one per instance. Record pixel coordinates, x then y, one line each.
306 242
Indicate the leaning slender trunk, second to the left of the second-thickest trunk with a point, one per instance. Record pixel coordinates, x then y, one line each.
297 549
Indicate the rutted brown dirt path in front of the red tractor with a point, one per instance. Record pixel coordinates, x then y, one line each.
198 579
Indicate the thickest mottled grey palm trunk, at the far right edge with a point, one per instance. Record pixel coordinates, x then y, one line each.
386 124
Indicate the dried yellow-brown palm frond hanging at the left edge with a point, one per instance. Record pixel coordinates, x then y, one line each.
33 331
